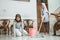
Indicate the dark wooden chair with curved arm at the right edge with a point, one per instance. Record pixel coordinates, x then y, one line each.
57 24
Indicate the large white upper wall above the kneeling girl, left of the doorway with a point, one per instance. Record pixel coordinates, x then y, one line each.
8 9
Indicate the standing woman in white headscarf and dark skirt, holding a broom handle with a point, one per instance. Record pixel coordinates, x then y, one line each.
46 18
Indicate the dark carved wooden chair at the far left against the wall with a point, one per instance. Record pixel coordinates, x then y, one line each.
5 25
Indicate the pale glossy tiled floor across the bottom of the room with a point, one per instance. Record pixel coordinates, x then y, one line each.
38 37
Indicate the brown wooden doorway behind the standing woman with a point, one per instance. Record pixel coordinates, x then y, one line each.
39 13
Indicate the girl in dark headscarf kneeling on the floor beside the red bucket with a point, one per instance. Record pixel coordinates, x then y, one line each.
18 26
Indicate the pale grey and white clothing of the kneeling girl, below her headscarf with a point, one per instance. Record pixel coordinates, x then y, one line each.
18 28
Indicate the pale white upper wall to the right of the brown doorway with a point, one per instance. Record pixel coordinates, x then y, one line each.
53 5
